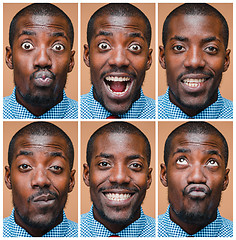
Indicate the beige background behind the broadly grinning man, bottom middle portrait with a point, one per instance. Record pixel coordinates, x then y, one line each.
148 128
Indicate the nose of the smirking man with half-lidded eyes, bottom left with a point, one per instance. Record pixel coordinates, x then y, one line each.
40 178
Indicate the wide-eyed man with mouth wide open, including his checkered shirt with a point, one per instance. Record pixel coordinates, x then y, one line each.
118 54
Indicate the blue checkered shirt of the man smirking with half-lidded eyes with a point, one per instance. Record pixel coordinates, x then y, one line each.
66 228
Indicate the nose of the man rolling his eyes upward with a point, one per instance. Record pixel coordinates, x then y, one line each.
196 174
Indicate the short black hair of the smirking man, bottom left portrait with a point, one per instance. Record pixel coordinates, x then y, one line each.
41 129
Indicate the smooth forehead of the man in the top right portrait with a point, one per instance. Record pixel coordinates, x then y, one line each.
195 25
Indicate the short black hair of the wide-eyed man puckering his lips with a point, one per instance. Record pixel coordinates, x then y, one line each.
40 9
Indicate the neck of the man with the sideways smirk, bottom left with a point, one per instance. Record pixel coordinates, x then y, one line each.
36 231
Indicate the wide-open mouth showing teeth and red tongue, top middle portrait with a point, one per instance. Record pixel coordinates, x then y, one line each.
118 85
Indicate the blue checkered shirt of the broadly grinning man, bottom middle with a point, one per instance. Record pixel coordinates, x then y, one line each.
143 227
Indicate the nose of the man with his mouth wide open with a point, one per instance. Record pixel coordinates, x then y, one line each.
118 57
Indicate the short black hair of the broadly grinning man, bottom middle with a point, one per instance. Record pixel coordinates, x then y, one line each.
117 127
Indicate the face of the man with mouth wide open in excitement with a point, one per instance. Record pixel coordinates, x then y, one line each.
118 57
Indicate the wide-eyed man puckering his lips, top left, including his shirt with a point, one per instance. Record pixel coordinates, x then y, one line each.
41 55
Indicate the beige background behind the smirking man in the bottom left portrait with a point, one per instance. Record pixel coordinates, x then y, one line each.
71 129
